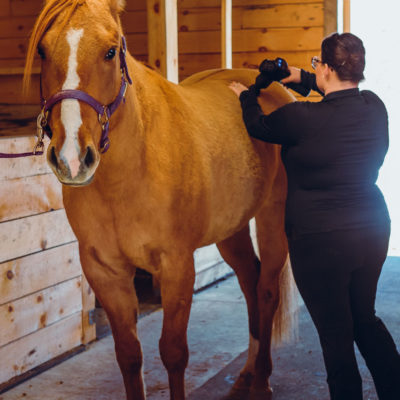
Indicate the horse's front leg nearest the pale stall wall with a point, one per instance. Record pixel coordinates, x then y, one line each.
112 281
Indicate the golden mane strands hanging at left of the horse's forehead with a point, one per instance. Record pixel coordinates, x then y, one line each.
50 12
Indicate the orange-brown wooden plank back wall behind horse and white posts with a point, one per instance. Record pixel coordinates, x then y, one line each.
292 29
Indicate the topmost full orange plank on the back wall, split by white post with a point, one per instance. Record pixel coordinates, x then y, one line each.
279 16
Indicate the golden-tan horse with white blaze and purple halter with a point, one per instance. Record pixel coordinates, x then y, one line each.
180 173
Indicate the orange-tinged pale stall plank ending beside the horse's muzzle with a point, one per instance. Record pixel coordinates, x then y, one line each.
29 196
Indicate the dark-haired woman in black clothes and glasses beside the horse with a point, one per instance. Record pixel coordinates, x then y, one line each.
337 222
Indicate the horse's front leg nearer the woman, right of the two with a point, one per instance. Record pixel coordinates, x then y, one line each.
177 281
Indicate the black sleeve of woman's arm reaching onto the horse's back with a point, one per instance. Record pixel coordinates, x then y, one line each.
278 127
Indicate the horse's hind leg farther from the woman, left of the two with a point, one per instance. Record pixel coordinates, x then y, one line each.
239 253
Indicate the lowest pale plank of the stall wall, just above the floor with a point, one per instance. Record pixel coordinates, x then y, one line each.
39 347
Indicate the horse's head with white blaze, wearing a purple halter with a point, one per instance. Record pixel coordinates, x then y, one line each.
81 46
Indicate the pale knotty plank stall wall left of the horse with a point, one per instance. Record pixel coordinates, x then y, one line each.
44 298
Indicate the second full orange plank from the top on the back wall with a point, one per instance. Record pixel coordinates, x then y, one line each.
253 40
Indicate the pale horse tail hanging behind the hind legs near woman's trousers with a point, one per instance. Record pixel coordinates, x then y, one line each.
286 316
